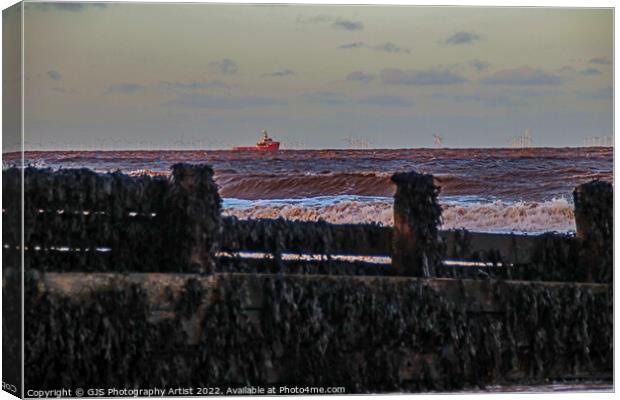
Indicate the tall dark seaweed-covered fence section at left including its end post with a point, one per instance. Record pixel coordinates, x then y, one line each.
80 220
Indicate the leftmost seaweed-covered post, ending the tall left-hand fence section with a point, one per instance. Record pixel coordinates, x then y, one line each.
193 207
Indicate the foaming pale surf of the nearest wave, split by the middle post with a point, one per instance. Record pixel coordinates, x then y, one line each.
497 216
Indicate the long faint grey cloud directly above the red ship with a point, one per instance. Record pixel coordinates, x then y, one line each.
199 100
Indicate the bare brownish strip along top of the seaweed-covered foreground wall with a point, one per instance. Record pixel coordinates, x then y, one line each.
162 289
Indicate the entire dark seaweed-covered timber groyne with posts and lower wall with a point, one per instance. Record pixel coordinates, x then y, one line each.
139 282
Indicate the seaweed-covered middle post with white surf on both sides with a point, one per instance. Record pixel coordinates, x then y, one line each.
416 248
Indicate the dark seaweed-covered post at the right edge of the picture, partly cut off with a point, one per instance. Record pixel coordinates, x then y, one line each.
594 216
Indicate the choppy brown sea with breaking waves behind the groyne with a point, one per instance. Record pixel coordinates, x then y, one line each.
487 190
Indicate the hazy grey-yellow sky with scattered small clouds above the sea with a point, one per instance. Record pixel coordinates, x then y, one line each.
157 76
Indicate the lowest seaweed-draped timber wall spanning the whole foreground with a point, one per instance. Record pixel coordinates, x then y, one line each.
230 329
